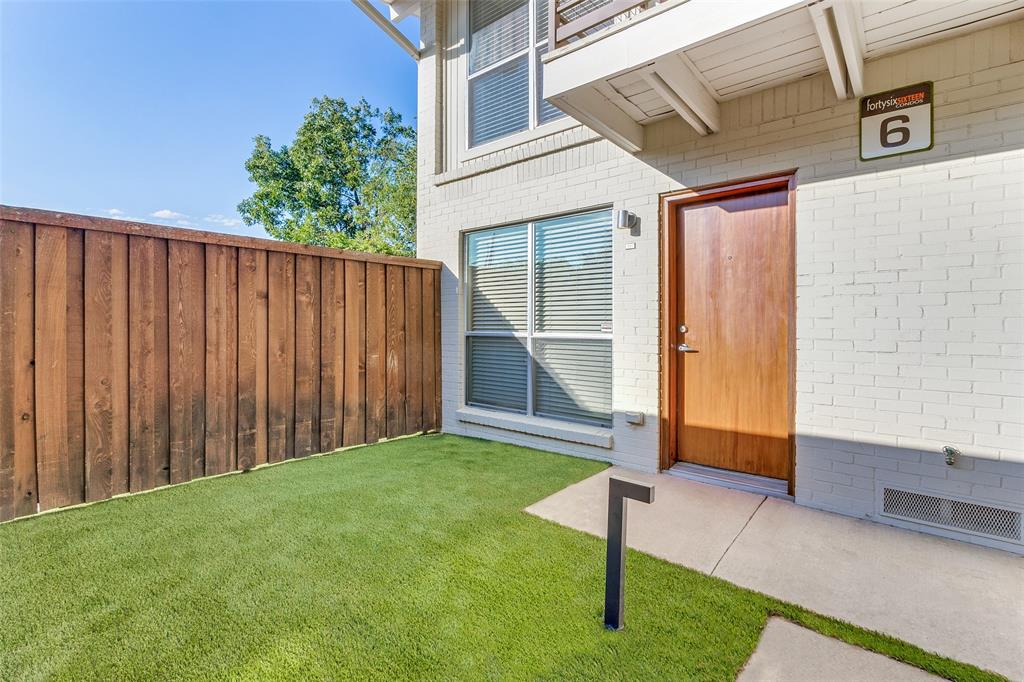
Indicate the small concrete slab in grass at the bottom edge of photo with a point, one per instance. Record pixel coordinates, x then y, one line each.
788 653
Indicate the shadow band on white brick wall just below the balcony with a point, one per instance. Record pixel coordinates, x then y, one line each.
823 141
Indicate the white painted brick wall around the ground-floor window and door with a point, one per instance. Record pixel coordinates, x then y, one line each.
909 270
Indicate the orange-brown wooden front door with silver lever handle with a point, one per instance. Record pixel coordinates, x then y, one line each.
734 313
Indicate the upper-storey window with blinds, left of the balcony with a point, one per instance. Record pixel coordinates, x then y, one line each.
506 41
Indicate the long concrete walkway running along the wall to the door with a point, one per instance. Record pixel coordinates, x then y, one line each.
959 601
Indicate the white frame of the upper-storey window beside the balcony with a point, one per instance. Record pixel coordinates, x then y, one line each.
535 130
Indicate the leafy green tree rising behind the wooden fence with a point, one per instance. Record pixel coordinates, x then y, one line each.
349 181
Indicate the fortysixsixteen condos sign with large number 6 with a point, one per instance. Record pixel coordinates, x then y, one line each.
897 122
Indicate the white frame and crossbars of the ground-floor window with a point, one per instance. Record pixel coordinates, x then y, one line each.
531 334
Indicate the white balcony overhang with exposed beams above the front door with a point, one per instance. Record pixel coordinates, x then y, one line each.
685 58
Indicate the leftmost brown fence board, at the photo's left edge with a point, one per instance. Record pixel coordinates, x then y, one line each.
19 492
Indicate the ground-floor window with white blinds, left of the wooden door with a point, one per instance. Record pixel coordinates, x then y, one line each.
539 318
